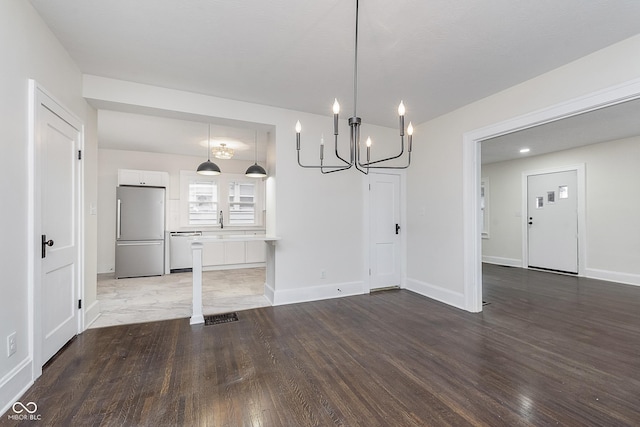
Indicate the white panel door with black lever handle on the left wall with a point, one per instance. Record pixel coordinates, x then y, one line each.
57 144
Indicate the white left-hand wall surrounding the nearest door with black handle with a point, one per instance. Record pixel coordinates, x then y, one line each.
29 50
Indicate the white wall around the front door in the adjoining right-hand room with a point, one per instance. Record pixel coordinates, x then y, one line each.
612 176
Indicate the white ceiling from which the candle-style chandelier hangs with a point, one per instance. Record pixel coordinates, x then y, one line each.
436 55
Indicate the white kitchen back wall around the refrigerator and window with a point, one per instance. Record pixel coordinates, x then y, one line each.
109 161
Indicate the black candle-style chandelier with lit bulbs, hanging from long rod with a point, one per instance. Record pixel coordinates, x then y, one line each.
355 156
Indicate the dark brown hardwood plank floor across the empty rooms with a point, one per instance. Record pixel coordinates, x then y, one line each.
547 350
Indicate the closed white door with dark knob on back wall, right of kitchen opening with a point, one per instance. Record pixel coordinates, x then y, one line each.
385 253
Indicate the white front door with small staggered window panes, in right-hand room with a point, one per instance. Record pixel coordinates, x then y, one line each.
552 217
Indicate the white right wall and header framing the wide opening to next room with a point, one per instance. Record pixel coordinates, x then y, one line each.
435 210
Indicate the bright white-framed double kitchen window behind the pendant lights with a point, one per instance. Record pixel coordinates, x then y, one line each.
203 198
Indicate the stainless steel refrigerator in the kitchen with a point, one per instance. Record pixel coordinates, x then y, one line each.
140 227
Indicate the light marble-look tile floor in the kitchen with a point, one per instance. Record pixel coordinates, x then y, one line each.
147 299
